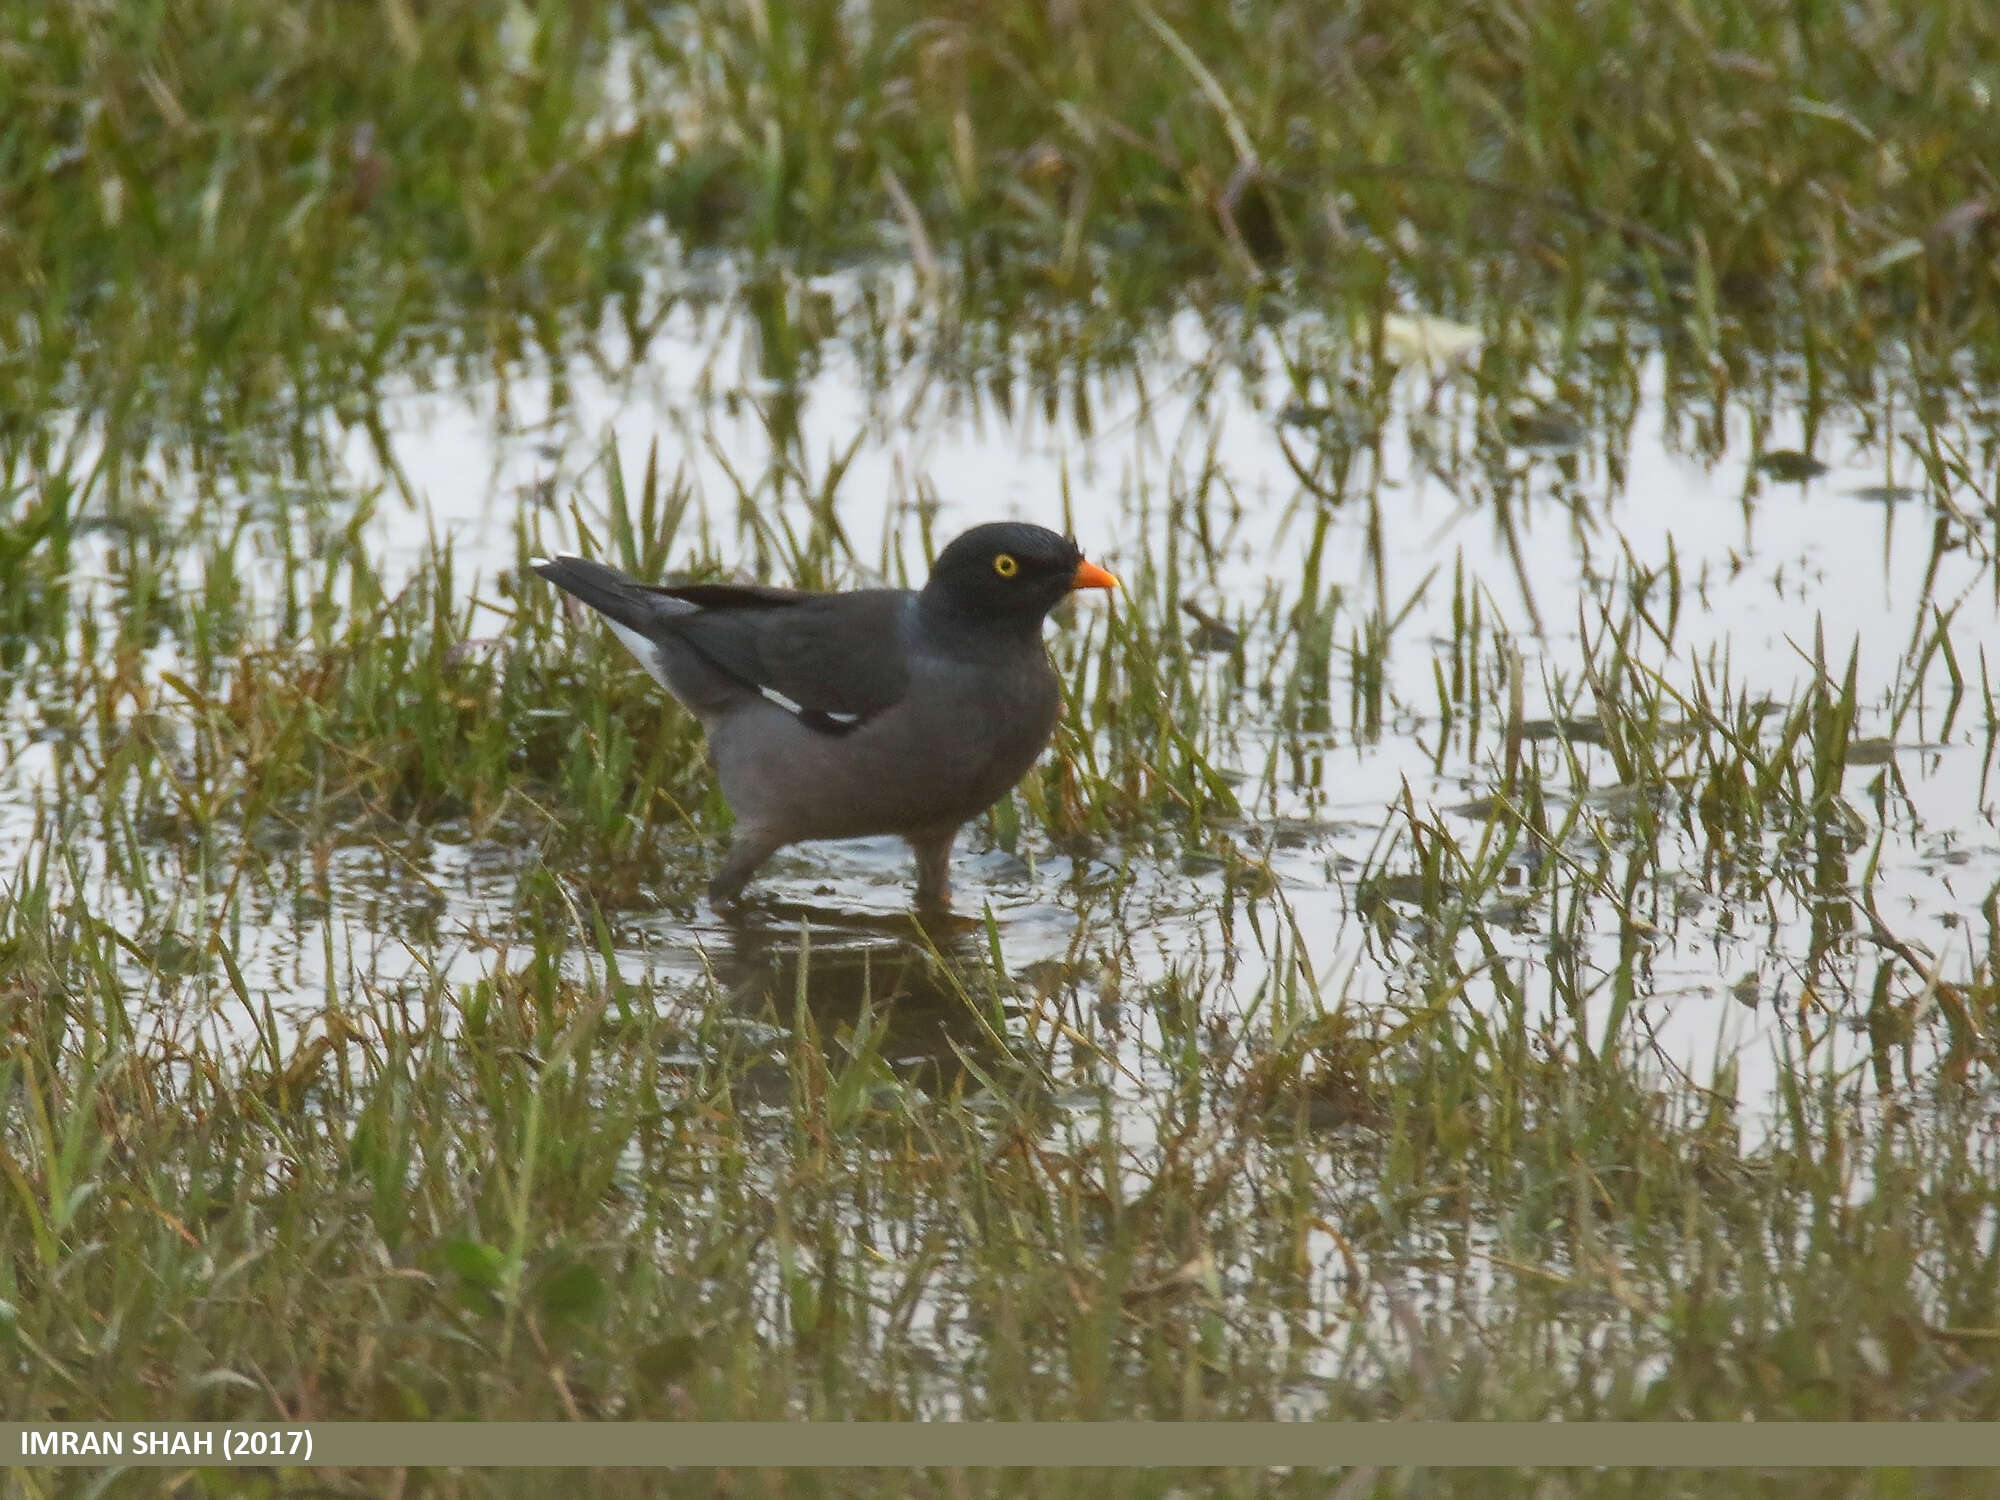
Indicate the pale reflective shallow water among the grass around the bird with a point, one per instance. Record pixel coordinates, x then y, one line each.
1181 457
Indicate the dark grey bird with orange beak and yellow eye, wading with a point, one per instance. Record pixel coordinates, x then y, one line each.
879 711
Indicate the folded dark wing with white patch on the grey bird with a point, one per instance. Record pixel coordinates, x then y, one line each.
835 661
